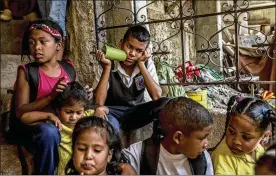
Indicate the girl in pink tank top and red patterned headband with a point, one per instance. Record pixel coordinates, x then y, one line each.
37 84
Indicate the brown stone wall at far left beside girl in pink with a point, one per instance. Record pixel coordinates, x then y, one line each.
11 34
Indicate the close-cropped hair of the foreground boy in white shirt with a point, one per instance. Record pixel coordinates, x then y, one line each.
184 114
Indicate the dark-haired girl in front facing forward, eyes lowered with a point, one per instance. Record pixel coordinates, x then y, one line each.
96 148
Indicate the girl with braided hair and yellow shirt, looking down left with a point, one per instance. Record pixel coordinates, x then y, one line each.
246 124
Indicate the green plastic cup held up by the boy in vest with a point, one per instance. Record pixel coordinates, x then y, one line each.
114 53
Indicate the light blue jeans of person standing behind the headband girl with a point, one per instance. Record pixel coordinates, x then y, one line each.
54 10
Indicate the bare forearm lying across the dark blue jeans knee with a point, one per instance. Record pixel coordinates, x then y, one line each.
36 117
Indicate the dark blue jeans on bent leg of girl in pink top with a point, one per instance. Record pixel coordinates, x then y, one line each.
43 142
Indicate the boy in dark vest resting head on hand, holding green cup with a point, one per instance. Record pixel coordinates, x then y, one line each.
123 82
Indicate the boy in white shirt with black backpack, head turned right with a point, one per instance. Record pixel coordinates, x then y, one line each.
185 125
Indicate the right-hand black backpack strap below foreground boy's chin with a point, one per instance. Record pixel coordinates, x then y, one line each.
198 165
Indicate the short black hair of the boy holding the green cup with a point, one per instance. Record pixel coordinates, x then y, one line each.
139 32
